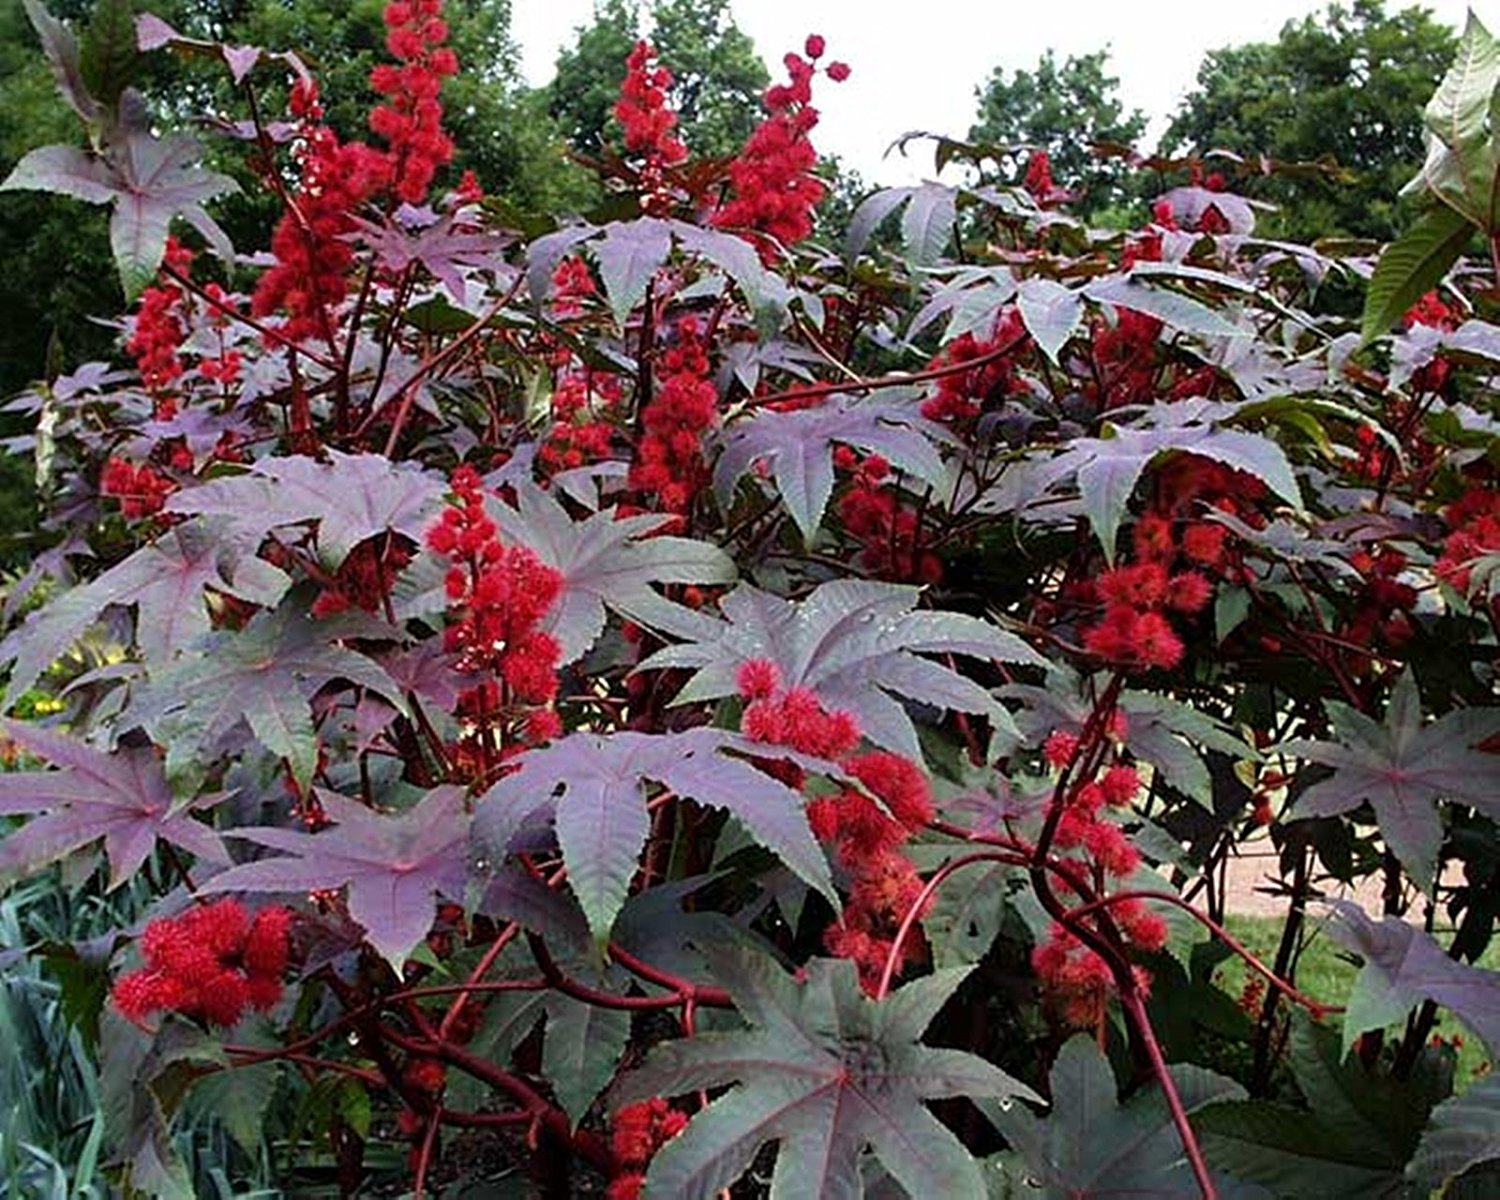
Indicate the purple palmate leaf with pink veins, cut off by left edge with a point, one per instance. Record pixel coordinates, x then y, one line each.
121 797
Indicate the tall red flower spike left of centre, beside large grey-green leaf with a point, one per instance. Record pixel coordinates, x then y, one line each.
502 595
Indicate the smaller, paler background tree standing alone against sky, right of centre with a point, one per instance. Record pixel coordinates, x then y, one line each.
1063 110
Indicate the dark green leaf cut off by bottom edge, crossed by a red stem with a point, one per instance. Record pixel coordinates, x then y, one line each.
1096 1148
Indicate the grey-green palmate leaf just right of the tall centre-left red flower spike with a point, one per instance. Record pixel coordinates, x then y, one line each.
607 563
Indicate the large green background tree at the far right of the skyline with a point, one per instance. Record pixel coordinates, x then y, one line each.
1349 85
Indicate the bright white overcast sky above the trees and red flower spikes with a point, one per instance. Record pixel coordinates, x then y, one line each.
917 62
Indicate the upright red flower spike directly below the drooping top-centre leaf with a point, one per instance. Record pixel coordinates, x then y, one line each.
670 466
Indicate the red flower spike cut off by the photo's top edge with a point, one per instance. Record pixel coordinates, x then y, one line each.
412 122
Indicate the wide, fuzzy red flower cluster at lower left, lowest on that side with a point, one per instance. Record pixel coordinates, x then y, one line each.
212 964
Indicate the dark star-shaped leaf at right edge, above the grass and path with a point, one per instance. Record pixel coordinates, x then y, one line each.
1403 769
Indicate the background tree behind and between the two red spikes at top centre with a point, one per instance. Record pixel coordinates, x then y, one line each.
718 74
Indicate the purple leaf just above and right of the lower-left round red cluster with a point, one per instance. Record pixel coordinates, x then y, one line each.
395 866
